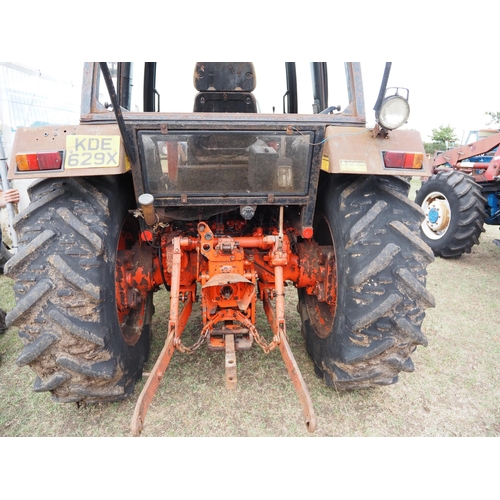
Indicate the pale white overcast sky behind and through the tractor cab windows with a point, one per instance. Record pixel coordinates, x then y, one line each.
434 99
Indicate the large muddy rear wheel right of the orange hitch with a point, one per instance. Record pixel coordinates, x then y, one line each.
367 338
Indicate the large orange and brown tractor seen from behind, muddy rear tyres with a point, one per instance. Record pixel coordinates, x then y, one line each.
222 205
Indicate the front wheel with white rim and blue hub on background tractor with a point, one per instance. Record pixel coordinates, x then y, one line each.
454 210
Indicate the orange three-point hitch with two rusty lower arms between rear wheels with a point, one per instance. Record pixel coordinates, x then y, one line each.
228 298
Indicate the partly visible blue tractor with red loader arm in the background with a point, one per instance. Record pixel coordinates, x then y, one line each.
462 195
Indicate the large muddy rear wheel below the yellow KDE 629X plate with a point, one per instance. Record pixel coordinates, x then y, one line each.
64 276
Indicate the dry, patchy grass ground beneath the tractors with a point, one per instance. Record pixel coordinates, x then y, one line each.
454 391
